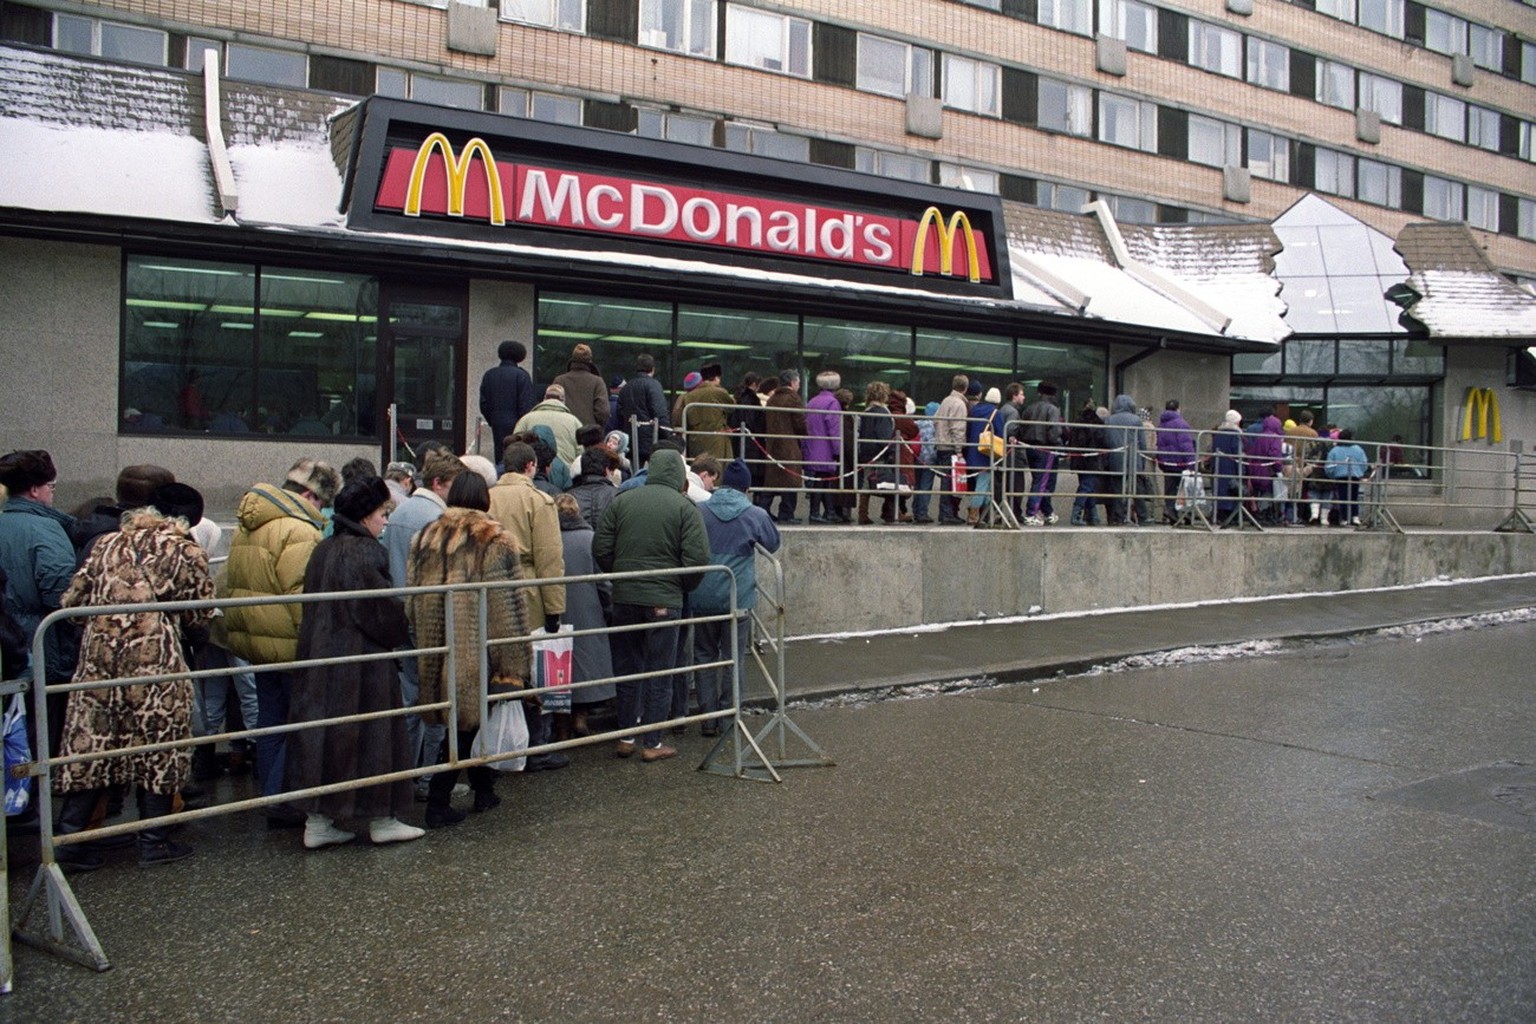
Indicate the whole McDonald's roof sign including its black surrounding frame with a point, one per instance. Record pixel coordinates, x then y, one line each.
486 182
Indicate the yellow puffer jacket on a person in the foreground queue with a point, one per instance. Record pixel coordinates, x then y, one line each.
277 533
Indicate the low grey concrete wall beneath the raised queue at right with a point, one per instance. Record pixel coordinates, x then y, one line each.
849 581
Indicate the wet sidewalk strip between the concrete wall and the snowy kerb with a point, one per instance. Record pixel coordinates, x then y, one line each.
1039 649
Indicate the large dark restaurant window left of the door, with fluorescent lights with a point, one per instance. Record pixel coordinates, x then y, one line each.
237 349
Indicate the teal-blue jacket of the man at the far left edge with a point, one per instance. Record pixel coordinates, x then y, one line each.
39 563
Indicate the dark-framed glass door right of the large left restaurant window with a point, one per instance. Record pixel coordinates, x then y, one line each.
423 345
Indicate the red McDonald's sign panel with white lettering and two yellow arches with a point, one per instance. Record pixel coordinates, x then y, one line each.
472 185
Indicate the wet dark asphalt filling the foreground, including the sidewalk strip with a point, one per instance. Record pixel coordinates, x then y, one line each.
1329 830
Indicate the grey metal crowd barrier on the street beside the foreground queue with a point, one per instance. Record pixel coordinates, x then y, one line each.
55 902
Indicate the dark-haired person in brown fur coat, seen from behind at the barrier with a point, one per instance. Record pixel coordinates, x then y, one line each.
466 546
